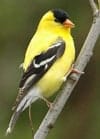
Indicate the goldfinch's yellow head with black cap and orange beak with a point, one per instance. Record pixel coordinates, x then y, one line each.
56 18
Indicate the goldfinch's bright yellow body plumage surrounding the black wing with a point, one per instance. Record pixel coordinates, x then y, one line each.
47 33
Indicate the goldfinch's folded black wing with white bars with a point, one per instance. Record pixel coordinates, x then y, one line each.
41 64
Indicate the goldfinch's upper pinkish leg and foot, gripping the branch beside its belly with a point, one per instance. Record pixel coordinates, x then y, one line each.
72 70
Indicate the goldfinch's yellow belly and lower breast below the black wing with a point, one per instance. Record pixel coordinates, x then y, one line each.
53 79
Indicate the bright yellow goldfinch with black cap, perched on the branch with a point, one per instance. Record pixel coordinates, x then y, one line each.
47 62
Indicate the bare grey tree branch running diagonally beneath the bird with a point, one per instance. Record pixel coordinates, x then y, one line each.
80 64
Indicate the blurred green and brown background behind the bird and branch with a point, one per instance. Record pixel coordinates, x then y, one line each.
80 119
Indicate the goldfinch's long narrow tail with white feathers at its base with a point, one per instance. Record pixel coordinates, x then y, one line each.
25 102
